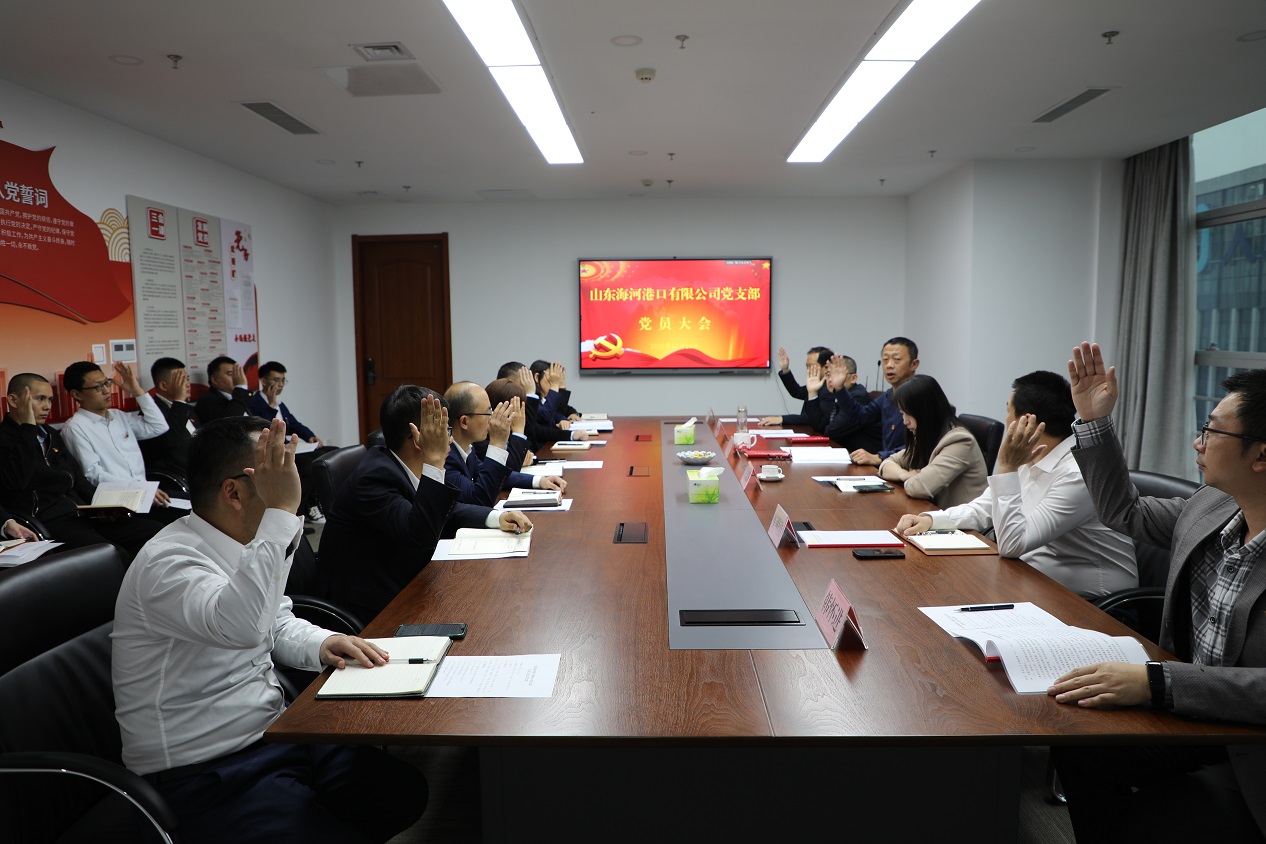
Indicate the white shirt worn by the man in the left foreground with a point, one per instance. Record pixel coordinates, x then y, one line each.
197 626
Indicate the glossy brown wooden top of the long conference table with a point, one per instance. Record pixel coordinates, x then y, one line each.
605 608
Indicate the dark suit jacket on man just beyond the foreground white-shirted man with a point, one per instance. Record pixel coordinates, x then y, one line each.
382 533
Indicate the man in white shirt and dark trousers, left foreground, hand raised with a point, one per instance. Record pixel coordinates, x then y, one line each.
199 621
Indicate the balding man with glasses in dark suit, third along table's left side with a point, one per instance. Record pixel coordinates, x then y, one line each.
480 480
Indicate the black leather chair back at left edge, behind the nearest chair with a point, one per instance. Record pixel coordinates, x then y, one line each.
55 599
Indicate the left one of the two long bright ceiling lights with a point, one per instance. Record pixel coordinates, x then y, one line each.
497 34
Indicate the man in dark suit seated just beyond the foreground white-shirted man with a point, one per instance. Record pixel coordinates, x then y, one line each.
391 514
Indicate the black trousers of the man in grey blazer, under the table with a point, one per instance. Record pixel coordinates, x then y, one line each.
1154 794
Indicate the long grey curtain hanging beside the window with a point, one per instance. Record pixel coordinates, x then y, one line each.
1158 312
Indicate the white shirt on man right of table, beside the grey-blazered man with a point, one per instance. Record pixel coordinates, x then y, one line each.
1043 514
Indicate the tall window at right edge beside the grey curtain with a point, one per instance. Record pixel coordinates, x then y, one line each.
1230 163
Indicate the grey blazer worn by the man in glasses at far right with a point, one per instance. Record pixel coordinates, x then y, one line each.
1236 690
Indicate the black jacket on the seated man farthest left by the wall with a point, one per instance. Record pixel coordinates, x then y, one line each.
32 485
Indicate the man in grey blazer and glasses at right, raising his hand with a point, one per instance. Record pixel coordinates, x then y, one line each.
1215 621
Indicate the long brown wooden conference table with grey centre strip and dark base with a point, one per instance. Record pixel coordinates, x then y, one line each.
658 732
